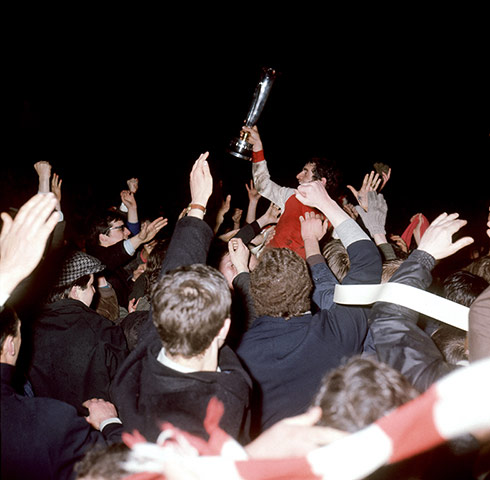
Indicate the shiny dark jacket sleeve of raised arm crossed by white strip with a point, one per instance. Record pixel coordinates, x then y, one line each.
398 340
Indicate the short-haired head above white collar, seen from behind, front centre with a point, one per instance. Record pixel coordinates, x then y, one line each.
191 305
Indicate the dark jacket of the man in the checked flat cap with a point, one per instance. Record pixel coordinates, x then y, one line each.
75 354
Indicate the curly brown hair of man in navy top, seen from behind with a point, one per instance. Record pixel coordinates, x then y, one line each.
280 284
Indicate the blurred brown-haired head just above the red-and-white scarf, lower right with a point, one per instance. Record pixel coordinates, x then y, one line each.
360 392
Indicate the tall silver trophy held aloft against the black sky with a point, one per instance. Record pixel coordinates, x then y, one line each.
239 147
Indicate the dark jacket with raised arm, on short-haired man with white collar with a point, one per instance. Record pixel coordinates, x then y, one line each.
146 392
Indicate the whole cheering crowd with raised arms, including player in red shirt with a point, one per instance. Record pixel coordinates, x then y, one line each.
297 340
